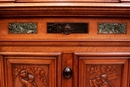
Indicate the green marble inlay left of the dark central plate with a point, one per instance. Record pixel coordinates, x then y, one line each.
22 28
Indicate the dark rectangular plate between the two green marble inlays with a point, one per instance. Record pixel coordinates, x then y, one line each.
67 27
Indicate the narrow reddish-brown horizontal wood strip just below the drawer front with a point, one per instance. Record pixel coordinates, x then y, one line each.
67 43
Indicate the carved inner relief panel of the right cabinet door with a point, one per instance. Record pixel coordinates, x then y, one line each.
104 75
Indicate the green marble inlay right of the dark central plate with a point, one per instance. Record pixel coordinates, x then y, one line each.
112 28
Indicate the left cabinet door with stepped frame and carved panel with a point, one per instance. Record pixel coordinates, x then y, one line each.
32 70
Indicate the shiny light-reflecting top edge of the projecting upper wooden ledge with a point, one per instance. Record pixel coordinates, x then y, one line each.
65 5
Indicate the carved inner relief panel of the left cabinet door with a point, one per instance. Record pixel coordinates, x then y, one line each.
30 76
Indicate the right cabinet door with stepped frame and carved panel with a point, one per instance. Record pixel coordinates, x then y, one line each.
103 70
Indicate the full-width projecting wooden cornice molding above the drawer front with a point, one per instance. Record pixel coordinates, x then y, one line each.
65 9
